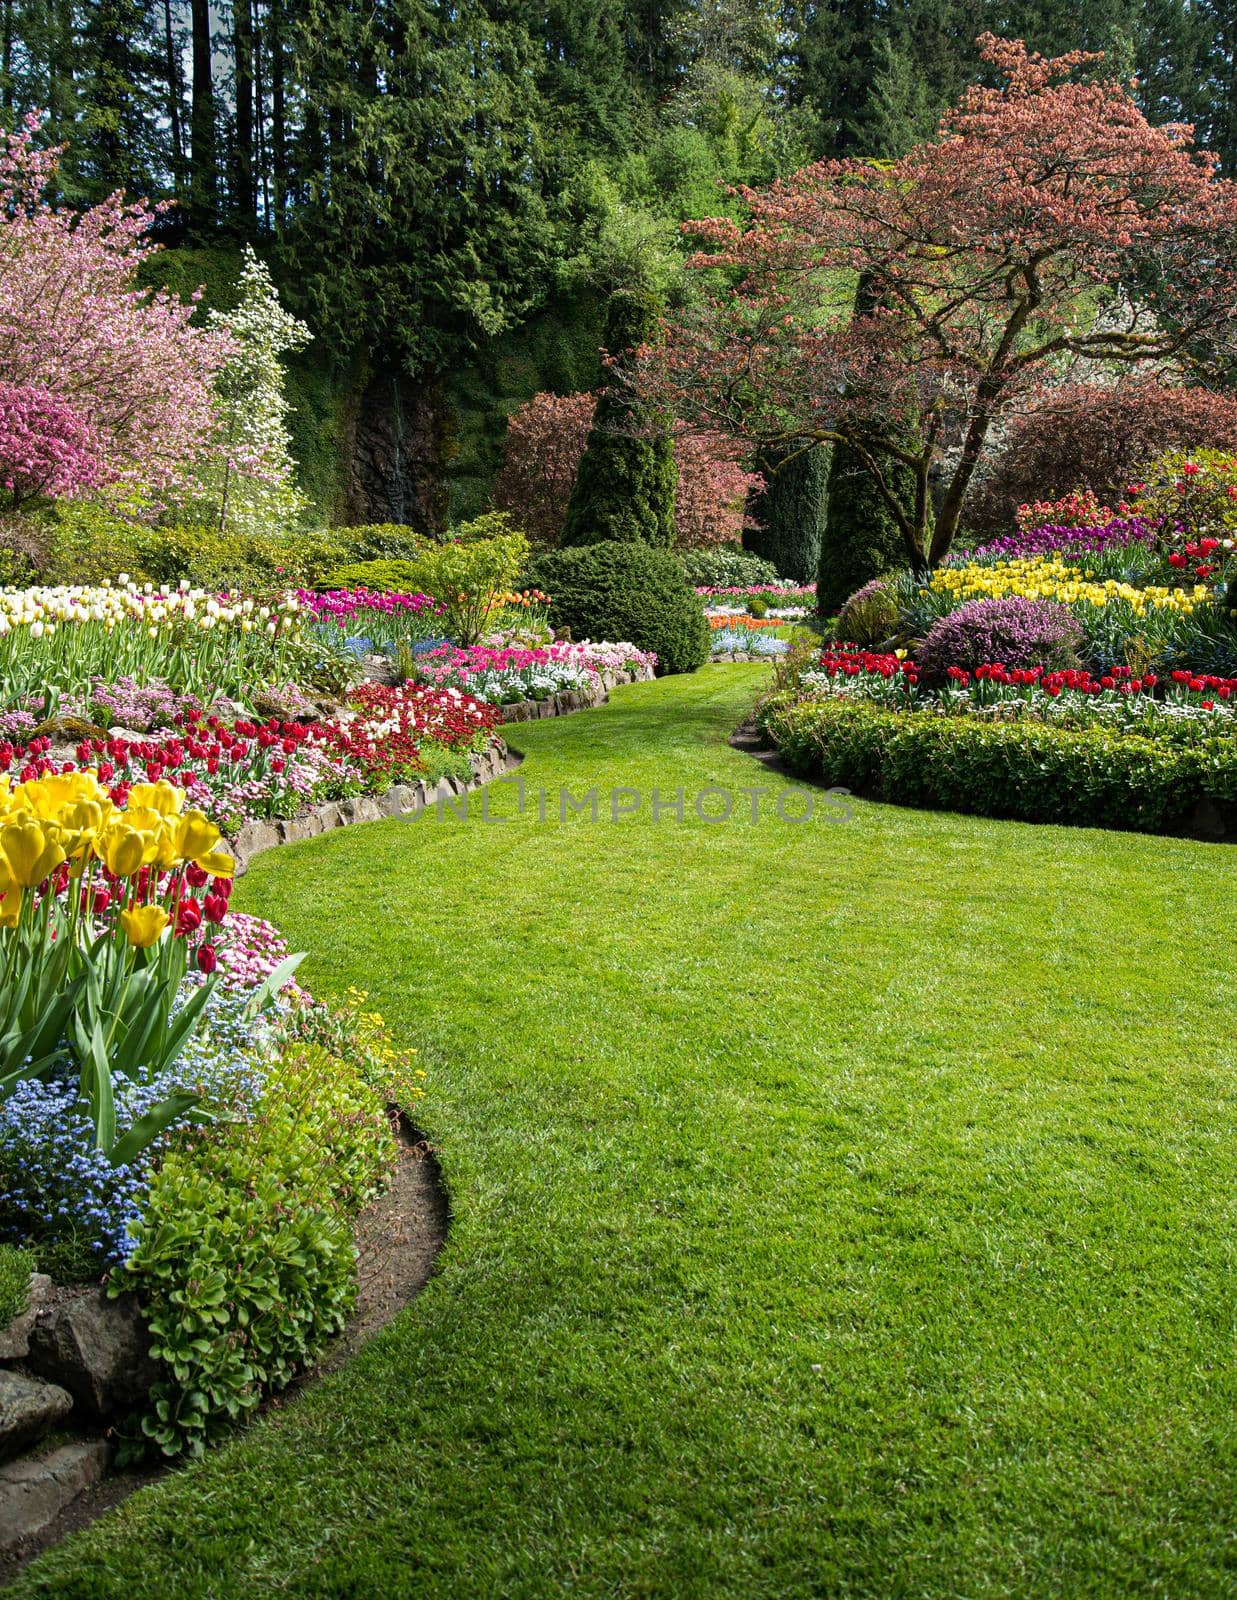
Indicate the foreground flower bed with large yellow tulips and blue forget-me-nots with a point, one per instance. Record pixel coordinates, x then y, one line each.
172 1110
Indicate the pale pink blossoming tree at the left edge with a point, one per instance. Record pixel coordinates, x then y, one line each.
76 326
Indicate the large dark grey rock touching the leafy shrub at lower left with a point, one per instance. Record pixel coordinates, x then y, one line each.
98 1350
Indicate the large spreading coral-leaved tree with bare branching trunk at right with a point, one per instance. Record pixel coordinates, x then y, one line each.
995 252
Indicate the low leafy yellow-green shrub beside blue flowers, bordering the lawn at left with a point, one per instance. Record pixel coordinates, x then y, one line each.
244 1257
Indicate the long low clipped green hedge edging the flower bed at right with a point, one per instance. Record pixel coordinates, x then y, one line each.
1022 770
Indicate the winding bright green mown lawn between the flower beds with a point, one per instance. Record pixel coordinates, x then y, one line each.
839 1210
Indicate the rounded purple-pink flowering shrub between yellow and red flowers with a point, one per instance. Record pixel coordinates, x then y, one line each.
1014 631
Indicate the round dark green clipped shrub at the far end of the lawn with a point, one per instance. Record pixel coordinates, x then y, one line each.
627 591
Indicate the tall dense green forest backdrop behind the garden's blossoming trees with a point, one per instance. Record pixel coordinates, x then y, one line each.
454 191
